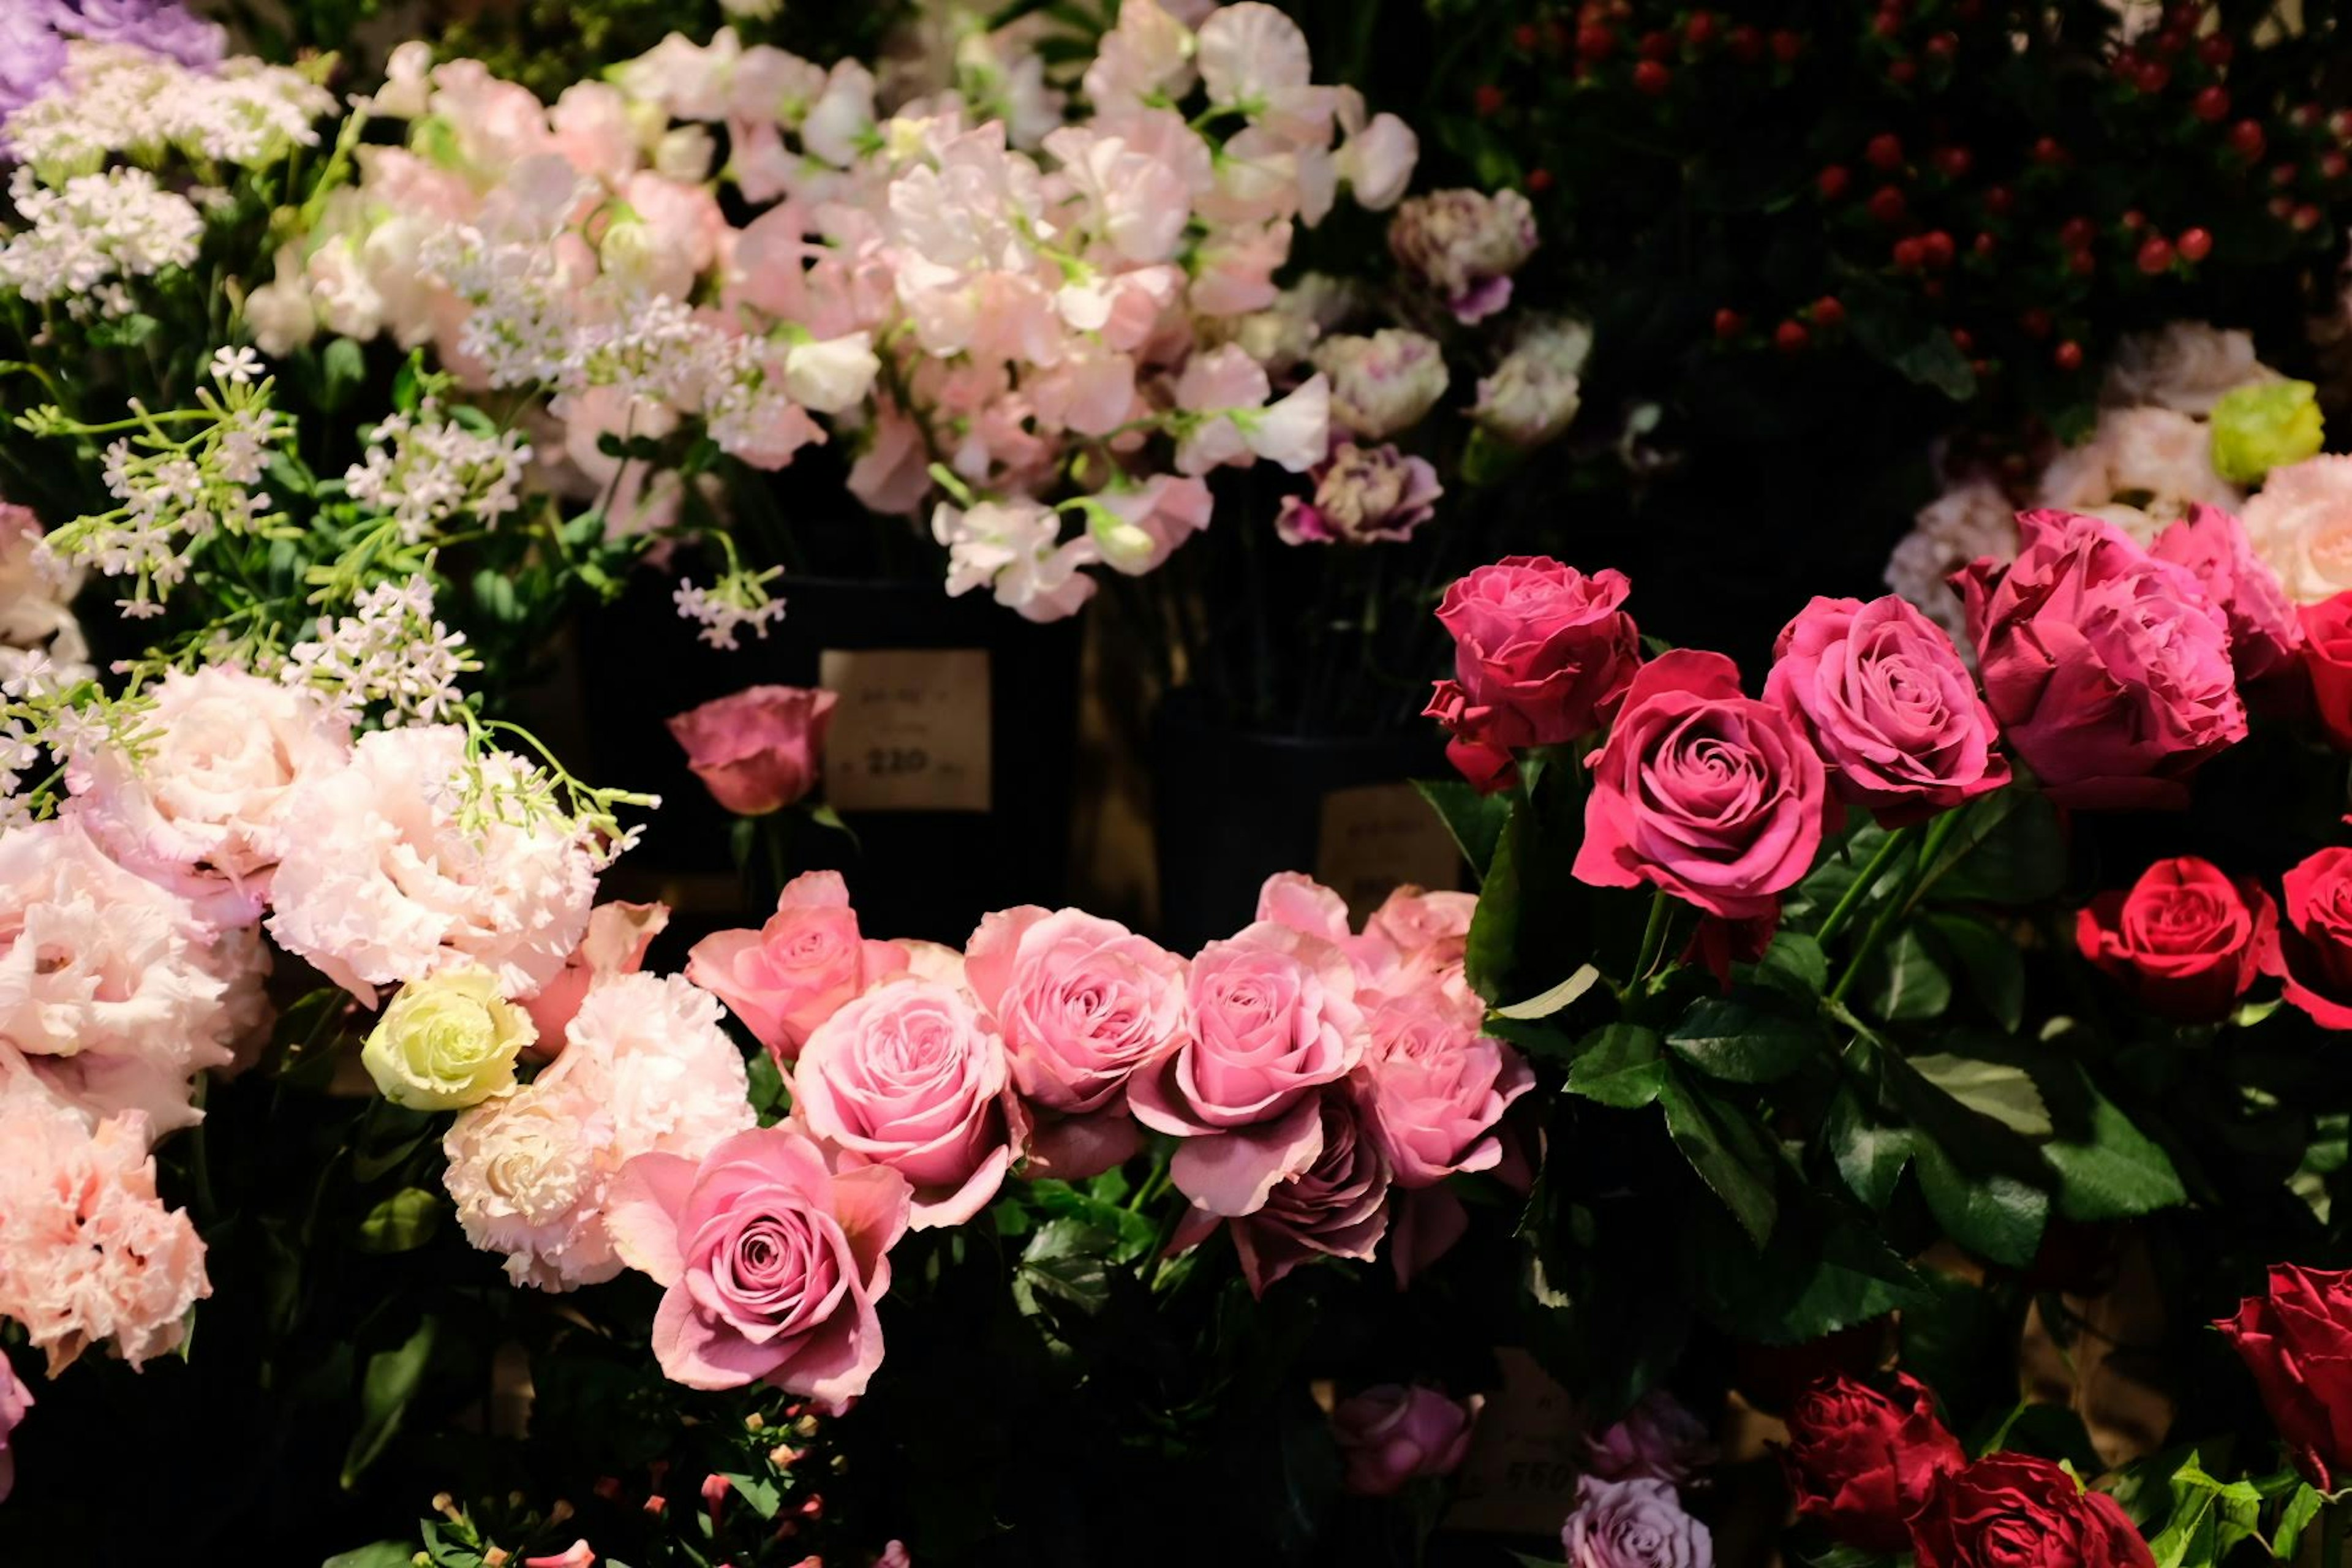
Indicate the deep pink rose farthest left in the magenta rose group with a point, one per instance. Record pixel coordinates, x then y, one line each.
1542 652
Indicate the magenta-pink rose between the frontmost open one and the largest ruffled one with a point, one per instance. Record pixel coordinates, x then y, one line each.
1890 706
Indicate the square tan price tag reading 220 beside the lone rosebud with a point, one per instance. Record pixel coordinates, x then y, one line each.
911 730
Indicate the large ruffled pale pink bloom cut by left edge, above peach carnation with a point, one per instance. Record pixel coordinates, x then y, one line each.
112 989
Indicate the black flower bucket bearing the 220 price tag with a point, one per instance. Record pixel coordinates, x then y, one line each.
949 758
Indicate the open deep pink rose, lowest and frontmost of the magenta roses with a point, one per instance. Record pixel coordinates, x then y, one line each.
1704 793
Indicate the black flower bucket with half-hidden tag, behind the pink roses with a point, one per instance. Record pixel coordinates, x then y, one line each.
1234 808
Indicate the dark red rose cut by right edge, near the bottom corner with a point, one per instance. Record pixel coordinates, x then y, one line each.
2299 1348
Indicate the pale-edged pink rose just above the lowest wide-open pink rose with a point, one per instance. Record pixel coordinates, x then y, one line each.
911 1078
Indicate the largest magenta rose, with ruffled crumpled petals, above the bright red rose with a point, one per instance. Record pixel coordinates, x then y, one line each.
2109 669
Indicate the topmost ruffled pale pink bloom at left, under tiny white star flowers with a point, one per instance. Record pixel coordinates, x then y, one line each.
203 803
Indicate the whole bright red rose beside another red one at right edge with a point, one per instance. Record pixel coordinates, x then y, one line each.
2184 942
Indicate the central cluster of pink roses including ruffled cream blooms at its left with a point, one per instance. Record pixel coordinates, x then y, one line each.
1321 1083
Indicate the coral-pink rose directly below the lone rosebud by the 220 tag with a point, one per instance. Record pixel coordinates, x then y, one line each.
799 970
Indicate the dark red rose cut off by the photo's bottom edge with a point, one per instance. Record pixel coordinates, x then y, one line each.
2012 1510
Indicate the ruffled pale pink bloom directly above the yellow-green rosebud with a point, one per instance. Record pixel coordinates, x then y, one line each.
382 883
